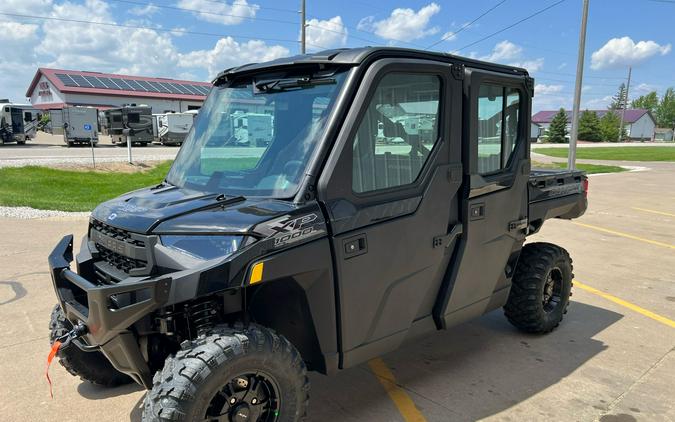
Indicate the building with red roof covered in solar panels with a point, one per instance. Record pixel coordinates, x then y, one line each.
56 88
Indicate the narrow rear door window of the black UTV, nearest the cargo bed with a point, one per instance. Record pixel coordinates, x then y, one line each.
498 124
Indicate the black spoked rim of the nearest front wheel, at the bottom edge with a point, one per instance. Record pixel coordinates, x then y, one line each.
249 397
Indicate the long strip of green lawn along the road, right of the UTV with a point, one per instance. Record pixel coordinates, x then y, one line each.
655 153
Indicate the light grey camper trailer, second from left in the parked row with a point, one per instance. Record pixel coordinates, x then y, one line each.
78 125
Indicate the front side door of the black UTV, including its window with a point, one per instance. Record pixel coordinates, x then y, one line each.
390 188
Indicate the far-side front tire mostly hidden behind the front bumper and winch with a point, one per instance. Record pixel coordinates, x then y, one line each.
89 366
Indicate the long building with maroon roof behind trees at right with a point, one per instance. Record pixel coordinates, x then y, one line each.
640 124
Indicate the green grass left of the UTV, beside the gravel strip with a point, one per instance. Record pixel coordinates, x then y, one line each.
70 190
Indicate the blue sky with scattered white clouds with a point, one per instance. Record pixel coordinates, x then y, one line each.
196 39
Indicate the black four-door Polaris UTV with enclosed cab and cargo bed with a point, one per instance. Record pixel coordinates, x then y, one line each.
393 200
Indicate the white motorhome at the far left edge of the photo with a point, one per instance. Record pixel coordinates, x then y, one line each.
18 122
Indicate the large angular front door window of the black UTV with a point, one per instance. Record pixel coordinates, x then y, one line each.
397 132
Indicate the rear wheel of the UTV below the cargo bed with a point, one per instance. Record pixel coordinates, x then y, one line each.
541 288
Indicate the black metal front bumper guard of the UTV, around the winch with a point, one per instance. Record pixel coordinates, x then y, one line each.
108 324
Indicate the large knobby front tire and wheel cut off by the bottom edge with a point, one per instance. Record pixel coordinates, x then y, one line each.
248 374
